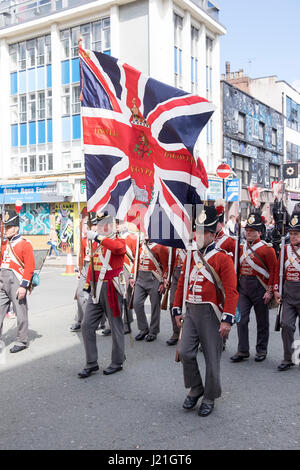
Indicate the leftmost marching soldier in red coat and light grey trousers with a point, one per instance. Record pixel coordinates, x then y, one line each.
17 266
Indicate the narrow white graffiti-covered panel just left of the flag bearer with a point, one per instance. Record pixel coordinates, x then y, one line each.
64 223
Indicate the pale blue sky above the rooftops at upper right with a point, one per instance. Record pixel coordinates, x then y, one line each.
263 38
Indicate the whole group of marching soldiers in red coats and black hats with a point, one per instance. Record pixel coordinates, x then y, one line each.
212 285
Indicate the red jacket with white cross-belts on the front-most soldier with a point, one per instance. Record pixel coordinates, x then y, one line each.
201 288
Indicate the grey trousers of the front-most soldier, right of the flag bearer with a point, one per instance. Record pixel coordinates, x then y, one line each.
201 325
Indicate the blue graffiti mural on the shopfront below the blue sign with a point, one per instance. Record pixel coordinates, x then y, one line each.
35 219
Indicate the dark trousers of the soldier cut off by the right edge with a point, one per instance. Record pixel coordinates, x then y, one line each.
290 312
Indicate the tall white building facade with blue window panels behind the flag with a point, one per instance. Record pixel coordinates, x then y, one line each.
40 134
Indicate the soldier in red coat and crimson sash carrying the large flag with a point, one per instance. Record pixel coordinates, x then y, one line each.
106 297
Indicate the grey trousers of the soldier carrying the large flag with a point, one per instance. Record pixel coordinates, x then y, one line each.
94 313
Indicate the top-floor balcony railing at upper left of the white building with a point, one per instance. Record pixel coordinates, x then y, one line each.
13 12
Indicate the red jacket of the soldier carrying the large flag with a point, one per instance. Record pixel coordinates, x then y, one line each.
117 247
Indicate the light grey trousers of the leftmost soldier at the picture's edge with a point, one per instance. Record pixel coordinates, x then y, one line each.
9 285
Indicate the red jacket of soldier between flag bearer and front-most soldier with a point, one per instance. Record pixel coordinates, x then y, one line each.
161 254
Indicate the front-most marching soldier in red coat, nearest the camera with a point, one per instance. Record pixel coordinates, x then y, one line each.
211 301
